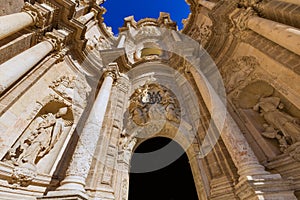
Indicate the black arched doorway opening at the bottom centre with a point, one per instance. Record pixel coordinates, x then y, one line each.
173 182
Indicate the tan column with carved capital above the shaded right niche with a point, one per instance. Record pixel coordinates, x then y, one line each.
284 35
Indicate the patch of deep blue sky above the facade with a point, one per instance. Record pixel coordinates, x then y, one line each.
118 9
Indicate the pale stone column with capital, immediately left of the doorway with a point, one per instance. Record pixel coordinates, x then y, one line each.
82 158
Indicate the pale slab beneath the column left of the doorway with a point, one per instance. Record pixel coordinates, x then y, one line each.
66 195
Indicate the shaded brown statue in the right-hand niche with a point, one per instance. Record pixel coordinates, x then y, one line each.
270 108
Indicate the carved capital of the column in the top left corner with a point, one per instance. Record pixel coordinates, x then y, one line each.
37 15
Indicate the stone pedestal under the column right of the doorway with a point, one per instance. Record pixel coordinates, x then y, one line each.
267 187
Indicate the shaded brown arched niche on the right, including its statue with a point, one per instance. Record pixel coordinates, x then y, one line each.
272 121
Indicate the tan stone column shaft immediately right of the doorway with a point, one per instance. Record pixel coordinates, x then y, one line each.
236 144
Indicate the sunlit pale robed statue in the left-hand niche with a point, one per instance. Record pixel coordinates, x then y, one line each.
44 134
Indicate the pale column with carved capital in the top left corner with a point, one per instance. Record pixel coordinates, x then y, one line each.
13 23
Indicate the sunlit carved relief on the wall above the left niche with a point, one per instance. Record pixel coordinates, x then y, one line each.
72 88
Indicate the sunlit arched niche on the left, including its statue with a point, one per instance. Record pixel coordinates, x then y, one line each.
40 143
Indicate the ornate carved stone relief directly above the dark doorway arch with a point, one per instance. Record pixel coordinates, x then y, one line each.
148 101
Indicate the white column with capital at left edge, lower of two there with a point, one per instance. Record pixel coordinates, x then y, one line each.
16 67
